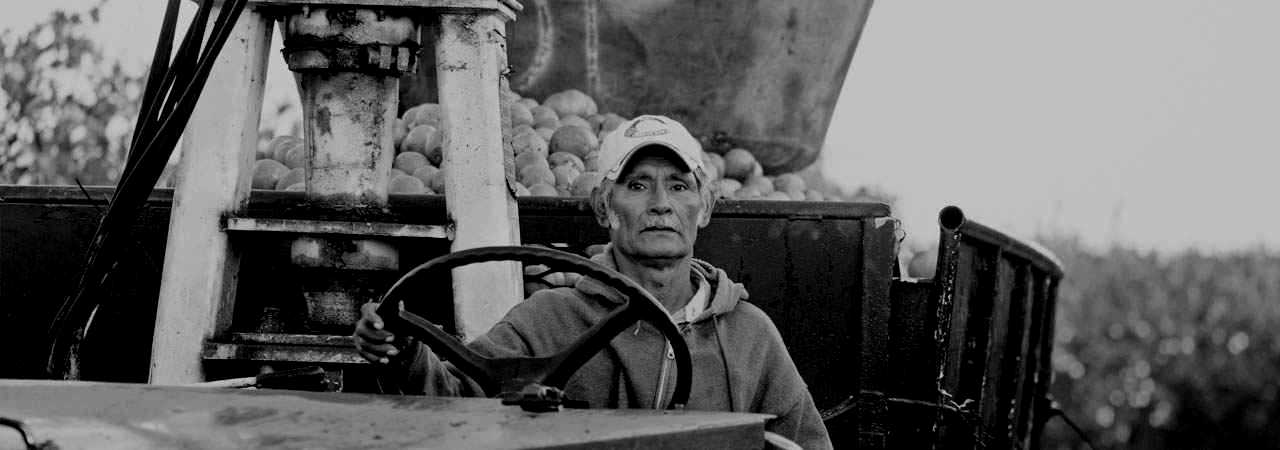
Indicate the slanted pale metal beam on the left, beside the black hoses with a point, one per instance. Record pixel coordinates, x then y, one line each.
216 173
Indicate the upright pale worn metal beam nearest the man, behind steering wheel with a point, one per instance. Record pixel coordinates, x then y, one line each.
472 57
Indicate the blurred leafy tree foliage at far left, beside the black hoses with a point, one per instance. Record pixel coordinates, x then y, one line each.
68 112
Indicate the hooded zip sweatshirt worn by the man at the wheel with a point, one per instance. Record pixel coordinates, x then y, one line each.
739 360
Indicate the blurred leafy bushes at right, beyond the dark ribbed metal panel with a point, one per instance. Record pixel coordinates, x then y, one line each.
1168 352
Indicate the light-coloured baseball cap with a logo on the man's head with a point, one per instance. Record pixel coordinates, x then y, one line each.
644 131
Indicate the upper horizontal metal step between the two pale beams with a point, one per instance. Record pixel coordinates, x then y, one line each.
336 227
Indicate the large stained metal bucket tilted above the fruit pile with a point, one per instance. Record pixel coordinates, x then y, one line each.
758 75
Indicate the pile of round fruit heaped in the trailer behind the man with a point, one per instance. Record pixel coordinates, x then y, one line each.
556 145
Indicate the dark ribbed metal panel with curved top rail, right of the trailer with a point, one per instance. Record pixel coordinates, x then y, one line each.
996 369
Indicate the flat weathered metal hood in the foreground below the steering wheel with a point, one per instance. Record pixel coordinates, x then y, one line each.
106 416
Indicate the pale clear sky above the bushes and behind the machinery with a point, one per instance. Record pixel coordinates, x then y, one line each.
1148 123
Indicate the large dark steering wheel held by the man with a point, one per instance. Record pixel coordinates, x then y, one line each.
522 374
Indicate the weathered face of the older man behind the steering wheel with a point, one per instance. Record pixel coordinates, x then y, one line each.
656 209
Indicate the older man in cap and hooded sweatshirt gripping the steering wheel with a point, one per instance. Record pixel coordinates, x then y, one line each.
653 200
